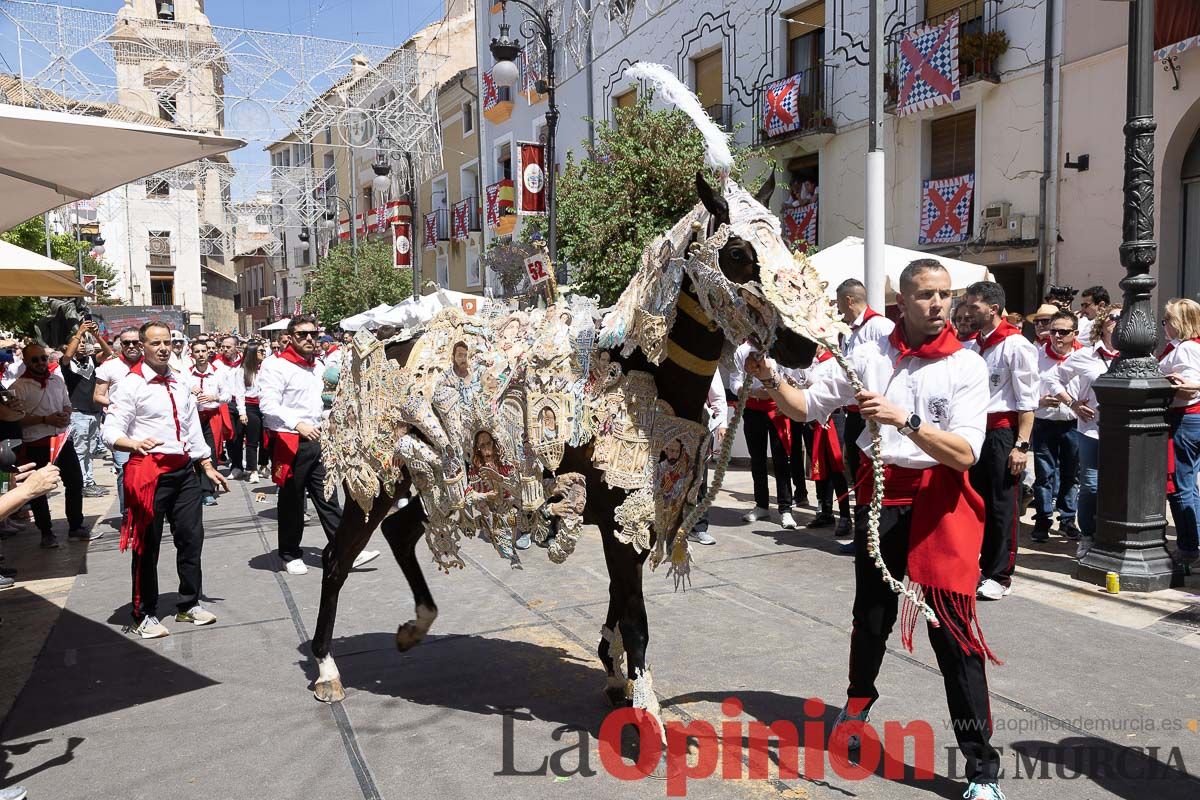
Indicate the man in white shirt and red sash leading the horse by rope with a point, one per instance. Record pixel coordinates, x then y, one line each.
928 395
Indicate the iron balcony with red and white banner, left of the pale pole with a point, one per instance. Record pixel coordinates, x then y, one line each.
796 106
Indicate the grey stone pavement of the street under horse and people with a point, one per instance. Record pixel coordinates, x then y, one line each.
1099 697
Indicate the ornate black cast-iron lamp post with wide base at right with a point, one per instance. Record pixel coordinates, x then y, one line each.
1135 396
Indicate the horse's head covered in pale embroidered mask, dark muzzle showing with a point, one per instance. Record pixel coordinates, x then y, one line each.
757 257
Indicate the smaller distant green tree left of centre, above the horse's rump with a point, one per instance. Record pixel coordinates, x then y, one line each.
338 290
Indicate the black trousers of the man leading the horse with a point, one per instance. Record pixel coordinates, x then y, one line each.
875 613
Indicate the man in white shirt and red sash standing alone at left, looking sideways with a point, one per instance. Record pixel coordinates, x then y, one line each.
154 418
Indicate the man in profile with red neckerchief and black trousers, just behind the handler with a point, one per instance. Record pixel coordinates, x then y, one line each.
1013 378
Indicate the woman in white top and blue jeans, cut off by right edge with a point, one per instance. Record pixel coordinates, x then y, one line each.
1181 362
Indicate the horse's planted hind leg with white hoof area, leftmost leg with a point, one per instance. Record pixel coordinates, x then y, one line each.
337 561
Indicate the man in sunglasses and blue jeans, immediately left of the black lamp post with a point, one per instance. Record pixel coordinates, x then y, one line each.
1055 452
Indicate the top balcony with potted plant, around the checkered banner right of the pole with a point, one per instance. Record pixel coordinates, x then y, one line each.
981 45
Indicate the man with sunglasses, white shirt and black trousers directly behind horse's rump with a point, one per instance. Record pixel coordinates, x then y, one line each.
290 398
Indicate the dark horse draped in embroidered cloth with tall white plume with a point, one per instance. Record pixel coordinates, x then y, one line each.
502 424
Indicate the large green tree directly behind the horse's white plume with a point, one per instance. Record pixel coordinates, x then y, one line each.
638 182
